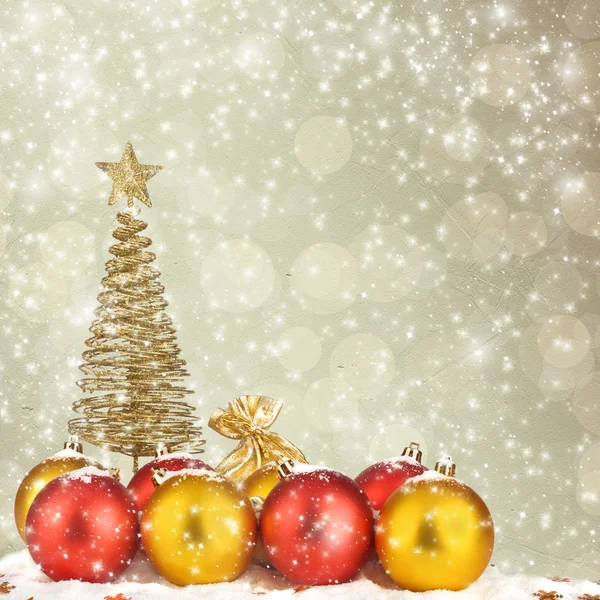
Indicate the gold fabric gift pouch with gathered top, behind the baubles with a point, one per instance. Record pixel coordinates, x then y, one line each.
248 419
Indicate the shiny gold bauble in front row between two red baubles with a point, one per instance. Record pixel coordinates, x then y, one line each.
198 527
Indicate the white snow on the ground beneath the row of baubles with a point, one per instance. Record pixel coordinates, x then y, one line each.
140 581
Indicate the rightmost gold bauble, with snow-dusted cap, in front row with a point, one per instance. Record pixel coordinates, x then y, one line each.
434 532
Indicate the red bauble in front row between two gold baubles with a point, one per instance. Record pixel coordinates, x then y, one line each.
316 526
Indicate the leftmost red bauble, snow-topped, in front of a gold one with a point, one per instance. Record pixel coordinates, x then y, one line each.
83 525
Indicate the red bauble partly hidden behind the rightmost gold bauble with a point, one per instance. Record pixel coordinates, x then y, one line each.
382 478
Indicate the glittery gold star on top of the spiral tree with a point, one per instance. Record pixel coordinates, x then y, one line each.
129 178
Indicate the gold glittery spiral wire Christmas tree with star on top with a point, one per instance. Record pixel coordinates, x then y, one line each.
133 385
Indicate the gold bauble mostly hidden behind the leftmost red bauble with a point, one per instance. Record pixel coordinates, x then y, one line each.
69 459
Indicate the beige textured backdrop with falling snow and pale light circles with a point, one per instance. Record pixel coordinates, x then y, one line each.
385 214
